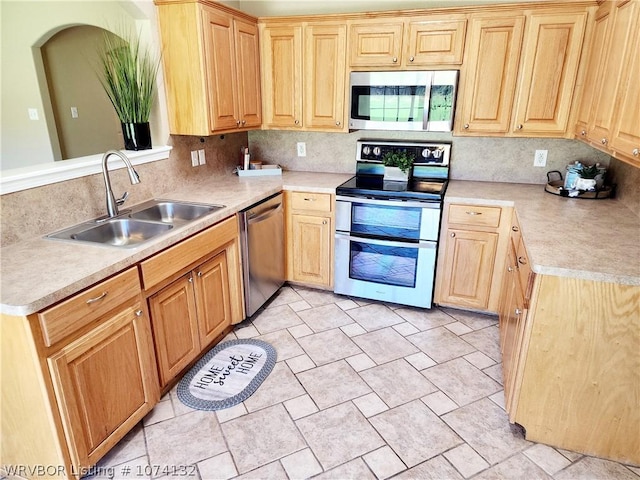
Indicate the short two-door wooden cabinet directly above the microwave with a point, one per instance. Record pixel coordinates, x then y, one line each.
423 41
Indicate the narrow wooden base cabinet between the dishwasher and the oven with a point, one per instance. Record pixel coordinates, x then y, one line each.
309 232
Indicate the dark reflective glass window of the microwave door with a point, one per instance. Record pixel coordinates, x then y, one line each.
388 104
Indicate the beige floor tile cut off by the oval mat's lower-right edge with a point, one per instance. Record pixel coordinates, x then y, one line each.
279 386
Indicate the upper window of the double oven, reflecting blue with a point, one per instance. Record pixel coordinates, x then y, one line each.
383 221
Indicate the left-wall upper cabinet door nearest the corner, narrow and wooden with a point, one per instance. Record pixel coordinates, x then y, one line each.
248 73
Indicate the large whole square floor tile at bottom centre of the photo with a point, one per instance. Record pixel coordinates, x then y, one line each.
339 434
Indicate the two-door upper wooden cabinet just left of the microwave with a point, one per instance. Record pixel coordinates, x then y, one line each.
304 76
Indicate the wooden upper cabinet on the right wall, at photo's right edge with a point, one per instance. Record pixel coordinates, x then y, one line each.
609 113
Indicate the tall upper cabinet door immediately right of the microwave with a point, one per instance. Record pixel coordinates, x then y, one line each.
489 74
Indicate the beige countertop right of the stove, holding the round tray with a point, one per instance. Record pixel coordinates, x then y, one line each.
567 237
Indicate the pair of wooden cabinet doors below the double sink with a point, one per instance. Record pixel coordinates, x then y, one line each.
188 314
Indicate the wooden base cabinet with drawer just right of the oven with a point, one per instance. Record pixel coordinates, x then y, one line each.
472 241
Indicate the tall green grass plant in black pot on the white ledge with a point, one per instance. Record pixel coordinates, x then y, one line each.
128 76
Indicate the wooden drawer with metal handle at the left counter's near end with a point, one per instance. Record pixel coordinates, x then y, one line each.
82 309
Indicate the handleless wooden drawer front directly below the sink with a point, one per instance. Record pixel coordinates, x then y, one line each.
169 262
